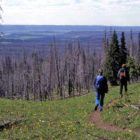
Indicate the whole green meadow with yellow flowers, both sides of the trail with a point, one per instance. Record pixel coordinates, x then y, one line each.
68 119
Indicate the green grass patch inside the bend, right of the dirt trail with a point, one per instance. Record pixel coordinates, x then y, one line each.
123 115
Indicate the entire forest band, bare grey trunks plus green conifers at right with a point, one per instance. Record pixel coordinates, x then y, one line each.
71 72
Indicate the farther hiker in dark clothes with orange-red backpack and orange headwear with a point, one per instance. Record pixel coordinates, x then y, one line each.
123 76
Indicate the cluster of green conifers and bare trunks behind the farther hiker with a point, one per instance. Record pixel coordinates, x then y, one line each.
118 53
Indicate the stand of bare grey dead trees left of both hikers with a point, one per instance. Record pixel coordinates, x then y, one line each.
58 74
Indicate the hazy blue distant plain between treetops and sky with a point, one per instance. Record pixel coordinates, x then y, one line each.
30 37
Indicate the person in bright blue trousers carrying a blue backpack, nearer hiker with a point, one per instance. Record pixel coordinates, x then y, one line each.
101 87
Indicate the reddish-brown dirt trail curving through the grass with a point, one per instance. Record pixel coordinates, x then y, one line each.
97 120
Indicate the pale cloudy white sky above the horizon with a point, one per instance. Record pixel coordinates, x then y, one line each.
71 12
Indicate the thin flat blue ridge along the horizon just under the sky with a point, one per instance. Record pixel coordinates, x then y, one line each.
66 27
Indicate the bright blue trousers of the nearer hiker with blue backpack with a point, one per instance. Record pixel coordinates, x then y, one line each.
100 99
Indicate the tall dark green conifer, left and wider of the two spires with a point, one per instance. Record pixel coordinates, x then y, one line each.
112 62
